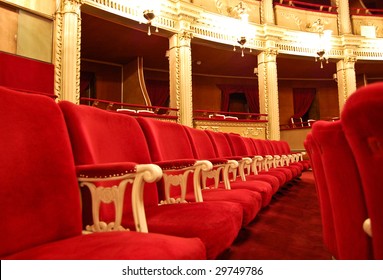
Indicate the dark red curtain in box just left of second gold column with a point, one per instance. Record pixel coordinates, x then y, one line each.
158 91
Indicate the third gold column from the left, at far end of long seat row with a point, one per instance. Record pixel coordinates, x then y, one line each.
268 90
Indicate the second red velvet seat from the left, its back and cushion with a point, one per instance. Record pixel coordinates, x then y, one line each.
99 136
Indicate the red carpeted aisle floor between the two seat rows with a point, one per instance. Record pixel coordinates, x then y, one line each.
289 229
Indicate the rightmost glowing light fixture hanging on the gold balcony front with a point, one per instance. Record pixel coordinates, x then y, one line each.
324 41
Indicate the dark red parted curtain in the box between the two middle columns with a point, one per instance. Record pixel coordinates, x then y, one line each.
251 93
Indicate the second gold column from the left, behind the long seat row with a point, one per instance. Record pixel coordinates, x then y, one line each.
180 60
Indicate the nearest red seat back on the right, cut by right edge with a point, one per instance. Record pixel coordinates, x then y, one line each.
362 119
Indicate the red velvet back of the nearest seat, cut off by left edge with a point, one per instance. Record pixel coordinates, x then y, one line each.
39 194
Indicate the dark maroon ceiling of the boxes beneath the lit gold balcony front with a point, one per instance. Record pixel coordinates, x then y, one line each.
112 41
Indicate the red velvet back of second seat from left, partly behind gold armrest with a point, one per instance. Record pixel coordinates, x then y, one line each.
100 136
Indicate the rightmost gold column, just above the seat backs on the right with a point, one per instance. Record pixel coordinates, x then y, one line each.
346 77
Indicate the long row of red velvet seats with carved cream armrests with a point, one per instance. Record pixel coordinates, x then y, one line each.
135 173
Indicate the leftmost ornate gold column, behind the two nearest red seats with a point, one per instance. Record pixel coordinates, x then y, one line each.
67 50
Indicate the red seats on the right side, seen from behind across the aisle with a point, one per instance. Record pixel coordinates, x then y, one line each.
347 161
